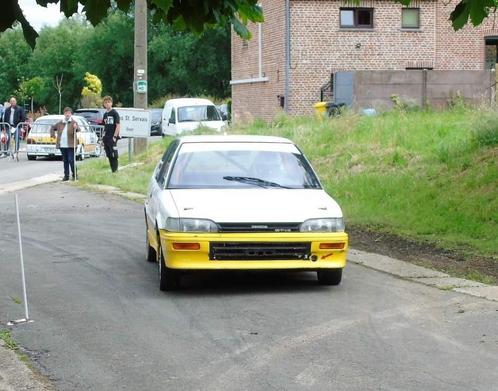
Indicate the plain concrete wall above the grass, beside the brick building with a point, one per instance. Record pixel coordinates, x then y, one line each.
436 88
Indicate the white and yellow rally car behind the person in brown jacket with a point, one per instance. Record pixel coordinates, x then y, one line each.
40 143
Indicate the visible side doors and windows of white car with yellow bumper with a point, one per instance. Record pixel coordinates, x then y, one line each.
157 183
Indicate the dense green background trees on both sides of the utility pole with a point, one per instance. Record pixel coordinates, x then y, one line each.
180 64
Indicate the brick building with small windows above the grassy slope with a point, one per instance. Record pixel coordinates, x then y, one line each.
293 54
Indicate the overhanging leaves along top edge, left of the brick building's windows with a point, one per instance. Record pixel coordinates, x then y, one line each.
193 16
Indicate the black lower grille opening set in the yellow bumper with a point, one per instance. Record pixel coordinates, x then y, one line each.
259 251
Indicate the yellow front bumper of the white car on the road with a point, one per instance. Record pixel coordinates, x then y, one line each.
200 259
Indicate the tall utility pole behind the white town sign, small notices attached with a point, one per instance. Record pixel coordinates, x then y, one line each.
140 66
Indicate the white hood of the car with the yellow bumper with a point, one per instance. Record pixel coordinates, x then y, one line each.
255 205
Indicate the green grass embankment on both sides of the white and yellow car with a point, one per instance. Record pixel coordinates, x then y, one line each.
428 176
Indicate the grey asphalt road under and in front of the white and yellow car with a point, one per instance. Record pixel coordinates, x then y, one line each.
101 323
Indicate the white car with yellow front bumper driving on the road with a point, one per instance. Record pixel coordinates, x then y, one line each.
241 203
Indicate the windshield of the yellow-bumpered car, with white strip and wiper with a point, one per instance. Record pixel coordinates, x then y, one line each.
241 165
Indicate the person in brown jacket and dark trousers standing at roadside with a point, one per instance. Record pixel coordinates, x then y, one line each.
66 142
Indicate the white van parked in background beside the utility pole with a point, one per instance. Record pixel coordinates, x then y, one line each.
187 114
